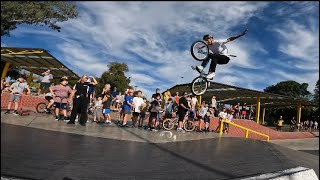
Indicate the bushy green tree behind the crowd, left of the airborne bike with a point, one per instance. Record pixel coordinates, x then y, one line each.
115 76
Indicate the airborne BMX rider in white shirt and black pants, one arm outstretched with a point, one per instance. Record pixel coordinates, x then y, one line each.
217 53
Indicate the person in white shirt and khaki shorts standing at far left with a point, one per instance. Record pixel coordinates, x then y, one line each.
16 90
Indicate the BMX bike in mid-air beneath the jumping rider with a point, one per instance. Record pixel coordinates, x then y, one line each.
200 51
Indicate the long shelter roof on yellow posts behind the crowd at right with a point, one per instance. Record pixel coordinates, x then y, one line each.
228 94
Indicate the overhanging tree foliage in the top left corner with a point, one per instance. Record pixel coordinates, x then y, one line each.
43 13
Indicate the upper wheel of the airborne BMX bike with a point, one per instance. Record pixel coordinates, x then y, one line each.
199 50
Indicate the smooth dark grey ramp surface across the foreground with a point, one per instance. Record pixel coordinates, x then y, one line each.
32 153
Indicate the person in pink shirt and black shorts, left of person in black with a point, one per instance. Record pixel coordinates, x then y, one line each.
61 93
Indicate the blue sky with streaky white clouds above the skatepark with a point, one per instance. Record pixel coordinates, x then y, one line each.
154 39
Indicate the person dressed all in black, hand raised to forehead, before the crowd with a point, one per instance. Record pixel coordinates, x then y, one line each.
80 97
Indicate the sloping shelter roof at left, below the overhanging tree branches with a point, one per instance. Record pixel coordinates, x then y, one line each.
36 61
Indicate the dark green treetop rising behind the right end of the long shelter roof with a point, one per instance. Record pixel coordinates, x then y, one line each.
289 88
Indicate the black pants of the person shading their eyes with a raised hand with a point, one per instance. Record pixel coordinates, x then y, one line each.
80 105
